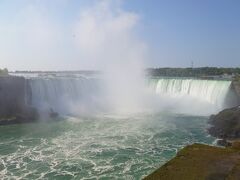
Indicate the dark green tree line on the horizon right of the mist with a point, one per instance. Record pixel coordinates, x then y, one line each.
193 72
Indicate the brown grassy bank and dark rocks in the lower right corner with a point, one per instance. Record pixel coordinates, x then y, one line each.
208 162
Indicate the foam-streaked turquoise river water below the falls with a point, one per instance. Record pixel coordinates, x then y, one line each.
100 147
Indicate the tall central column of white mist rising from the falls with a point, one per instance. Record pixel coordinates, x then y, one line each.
107 39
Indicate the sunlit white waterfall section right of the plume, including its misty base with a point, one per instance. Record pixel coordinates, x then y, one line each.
193 92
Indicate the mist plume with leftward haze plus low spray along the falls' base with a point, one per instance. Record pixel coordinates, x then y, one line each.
103 37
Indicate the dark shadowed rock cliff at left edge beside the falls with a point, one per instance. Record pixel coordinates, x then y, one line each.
13 101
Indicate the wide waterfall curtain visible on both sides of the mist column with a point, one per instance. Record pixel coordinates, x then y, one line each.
80 94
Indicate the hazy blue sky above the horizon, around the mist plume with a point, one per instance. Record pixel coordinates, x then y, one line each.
38 34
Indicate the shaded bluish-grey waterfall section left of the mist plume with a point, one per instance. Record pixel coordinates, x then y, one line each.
62 94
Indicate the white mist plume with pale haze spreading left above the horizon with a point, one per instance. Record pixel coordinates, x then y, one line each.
102 36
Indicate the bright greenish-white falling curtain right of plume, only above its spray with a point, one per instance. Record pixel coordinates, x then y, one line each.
210 91
